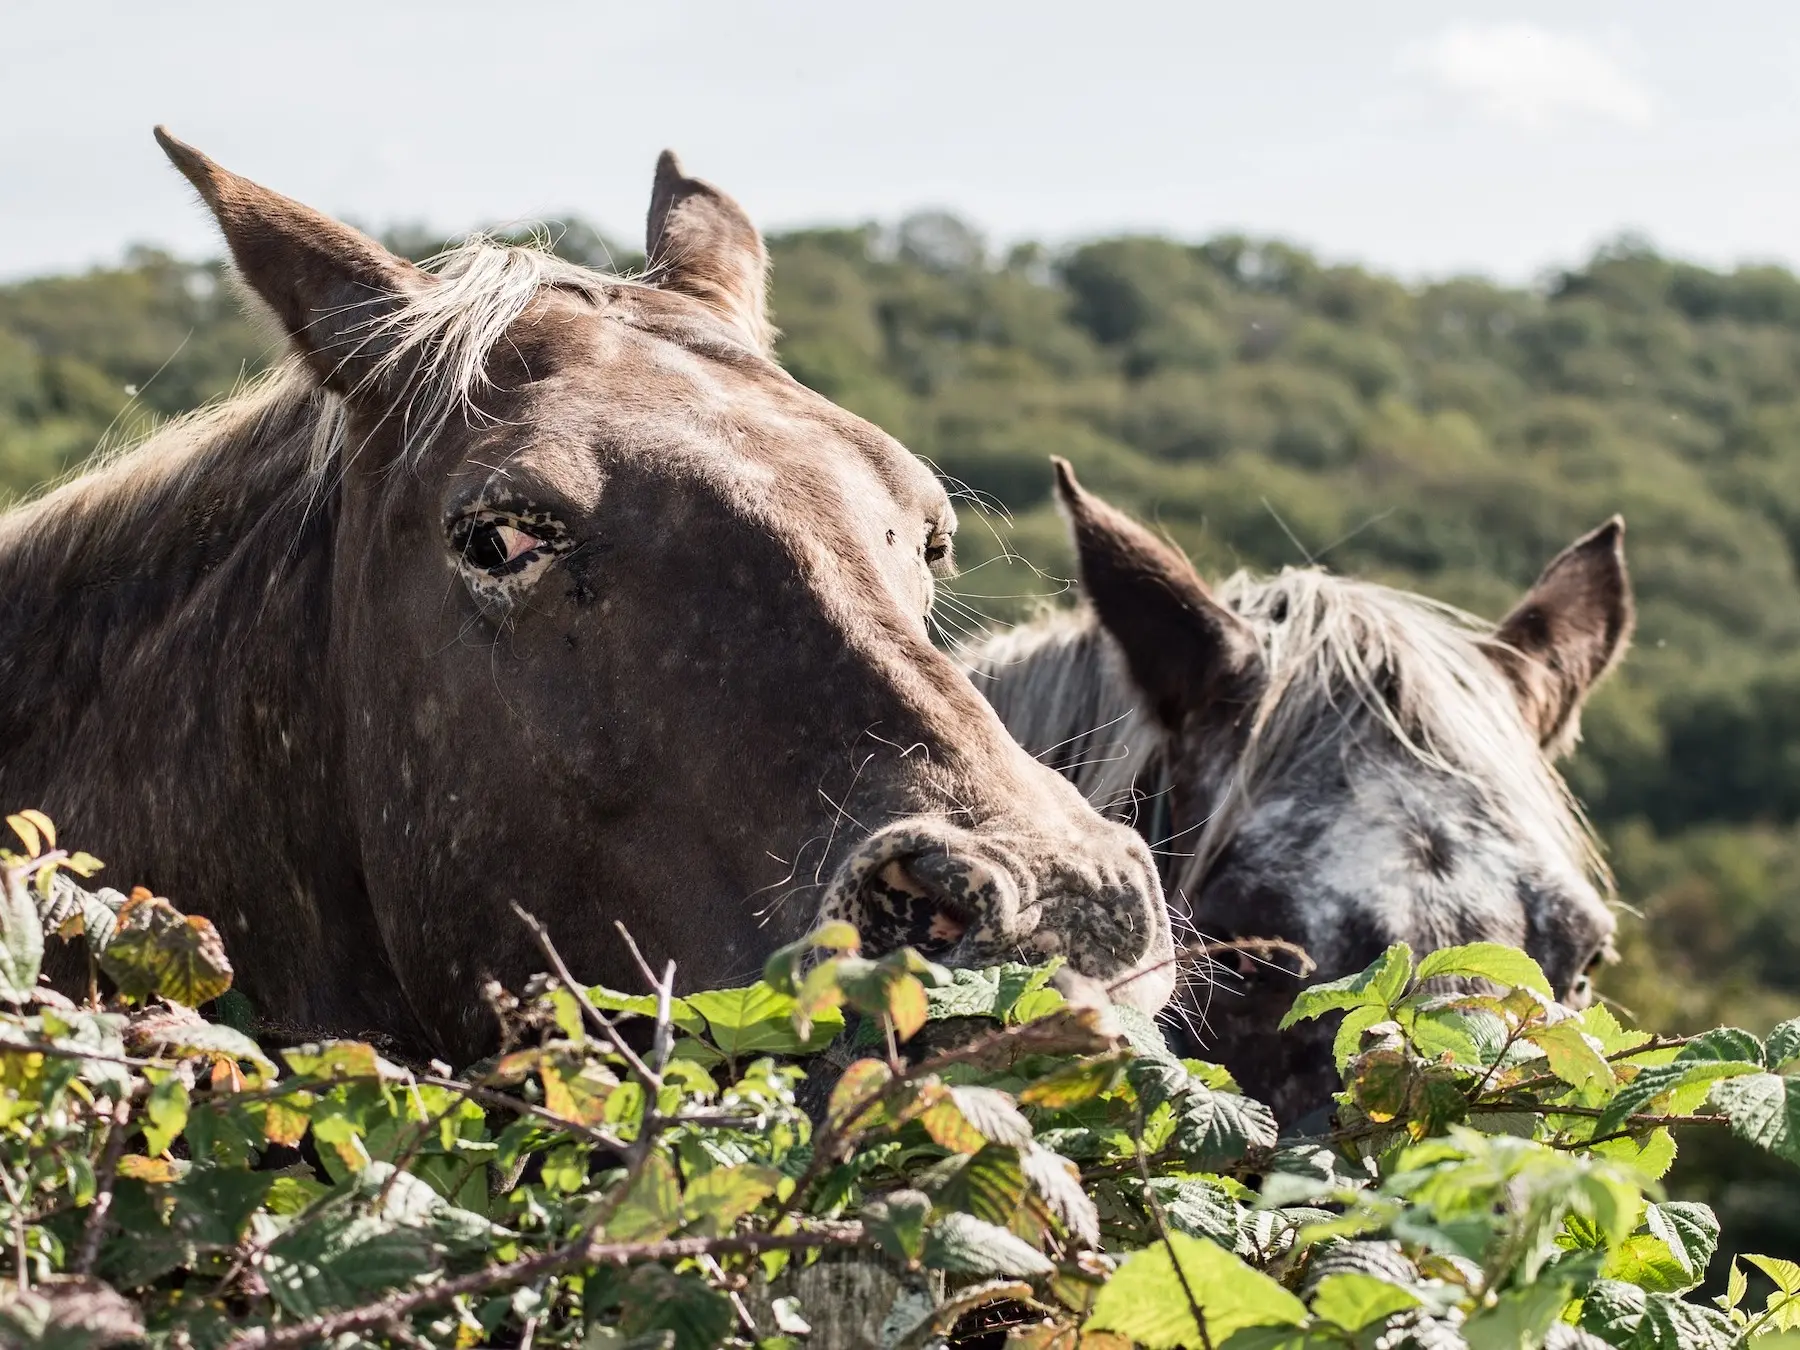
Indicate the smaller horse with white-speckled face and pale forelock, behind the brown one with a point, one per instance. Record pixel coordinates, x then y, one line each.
1327 762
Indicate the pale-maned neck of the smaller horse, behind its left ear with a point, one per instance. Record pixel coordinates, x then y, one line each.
1061 688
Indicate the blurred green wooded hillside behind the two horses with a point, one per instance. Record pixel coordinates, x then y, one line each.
1264 409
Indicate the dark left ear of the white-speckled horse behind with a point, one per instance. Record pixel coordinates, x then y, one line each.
1182 645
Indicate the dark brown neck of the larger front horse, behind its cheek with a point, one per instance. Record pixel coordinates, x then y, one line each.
163 652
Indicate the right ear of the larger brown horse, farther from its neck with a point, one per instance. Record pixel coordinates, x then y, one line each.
701 244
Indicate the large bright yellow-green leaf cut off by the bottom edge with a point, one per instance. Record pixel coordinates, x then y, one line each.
1147 1304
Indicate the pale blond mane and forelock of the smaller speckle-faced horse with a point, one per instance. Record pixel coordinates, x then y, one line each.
1342 660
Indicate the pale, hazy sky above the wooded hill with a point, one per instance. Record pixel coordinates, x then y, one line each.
1421 138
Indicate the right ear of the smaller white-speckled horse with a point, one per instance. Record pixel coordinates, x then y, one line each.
1569 633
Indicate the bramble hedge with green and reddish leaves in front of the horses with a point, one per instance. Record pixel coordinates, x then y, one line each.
993 1160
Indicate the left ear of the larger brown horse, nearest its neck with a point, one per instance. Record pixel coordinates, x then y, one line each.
328 285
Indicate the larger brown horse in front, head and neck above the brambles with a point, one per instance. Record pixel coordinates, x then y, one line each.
528 584
